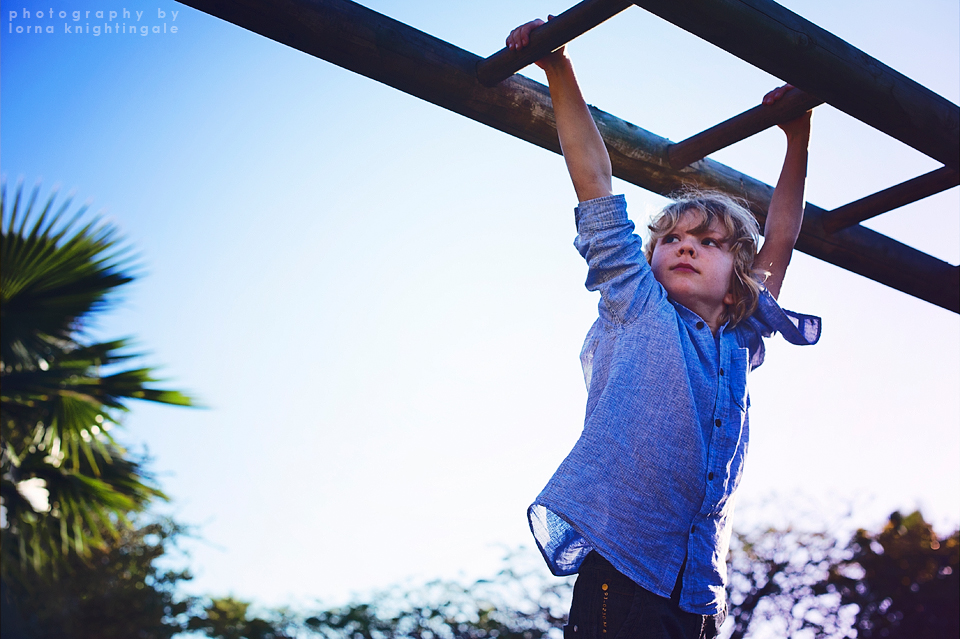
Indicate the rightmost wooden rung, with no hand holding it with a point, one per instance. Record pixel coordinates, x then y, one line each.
889 199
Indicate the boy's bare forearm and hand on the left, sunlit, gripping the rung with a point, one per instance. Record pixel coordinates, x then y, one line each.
583 150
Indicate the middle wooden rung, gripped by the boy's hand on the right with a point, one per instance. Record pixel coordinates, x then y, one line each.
792 105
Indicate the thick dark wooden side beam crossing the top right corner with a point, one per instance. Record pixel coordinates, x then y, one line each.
782 43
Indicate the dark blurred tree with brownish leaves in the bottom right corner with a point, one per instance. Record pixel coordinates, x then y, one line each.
904 579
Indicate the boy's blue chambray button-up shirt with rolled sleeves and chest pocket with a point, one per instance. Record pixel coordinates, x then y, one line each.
651 480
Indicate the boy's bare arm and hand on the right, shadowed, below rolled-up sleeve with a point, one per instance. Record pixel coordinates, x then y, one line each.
785 215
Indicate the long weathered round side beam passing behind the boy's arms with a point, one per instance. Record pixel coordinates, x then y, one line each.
400 56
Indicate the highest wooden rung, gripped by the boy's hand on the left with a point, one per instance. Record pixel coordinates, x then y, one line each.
567 26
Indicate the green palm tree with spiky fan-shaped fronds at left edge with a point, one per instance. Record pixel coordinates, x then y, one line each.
65 481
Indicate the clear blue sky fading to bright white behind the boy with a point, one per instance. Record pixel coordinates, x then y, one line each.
379 303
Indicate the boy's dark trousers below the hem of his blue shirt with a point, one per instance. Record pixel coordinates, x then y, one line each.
608 605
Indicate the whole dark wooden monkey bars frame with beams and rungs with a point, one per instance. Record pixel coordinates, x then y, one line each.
761 32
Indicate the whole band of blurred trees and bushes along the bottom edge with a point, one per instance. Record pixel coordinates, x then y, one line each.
783 583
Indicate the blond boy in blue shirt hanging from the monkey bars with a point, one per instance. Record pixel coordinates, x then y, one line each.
641 507
